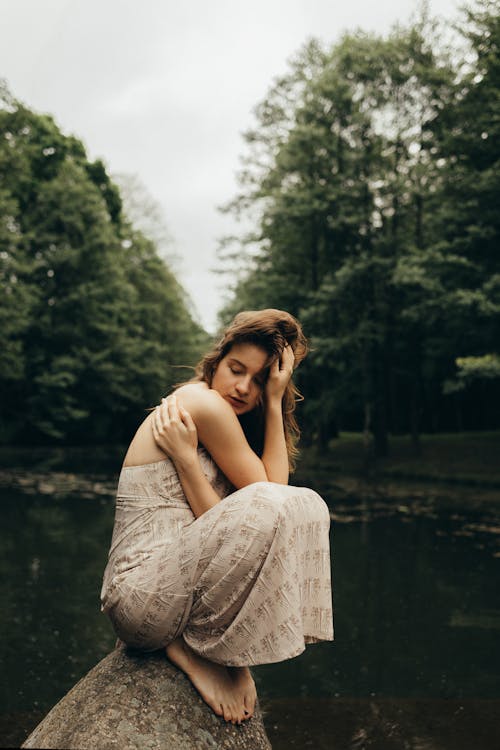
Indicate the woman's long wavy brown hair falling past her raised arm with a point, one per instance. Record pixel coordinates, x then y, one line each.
271 330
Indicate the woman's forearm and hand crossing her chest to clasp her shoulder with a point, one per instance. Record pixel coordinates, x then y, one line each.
175 432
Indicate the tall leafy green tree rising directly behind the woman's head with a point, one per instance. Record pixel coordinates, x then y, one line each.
344 202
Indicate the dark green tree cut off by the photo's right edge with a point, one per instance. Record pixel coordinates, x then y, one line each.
468 132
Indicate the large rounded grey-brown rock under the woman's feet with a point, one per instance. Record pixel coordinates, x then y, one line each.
132 701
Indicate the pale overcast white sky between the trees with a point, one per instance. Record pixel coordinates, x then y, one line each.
163 89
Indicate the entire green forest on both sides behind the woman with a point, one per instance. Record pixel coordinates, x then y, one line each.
368 196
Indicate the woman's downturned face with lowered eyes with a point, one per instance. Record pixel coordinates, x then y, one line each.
240 377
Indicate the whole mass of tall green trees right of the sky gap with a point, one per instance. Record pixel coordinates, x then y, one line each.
372 183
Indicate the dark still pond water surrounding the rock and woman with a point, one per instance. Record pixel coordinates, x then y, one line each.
415 663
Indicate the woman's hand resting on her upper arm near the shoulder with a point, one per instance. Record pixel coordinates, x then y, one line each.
174 431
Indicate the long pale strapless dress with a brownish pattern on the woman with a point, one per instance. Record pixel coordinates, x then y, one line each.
248 582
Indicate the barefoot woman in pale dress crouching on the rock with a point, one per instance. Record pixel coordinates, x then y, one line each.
214 557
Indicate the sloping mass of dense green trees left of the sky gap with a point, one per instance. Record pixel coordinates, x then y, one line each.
91 319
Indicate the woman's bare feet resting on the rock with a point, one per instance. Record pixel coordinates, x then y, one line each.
227 693
